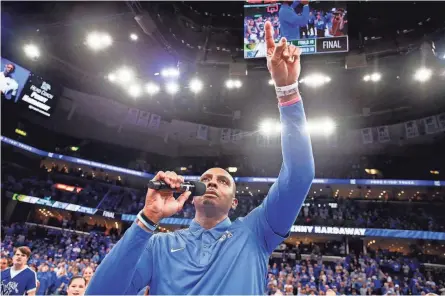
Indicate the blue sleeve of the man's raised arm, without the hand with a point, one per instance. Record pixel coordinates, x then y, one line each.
288 193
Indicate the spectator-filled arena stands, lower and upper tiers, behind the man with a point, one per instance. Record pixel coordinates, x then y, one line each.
294 270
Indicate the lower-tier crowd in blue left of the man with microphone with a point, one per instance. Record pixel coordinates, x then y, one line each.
57 255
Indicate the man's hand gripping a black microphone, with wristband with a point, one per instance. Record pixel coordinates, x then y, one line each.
160 202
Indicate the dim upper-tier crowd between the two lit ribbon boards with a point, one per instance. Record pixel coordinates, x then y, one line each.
121 199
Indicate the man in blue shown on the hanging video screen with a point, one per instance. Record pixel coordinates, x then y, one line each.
290 21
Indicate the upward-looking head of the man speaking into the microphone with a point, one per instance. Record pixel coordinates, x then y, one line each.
220 194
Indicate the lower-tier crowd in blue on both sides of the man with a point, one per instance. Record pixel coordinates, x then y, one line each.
60 254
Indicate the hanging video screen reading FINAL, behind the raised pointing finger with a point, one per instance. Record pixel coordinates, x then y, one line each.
318 27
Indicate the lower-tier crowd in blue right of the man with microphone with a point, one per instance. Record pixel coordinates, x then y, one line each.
380 273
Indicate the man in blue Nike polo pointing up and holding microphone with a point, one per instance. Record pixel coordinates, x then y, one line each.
214 255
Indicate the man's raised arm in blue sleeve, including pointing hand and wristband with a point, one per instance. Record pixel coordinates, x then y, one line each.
273 219
